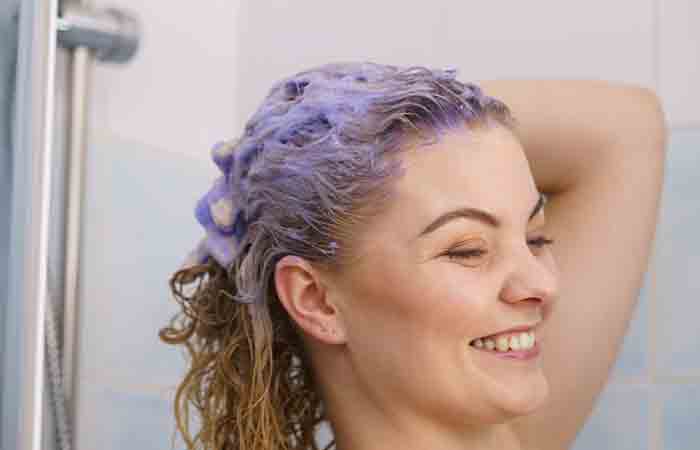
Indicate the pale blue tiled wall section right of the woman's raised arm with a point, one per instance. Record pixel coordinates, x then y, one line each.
659 368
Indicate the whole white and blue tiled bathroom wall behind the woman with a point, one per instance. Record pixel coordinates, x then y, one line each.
201 72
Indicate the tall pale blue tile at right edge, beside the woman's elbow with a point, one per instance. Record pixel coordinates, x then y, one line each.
678 258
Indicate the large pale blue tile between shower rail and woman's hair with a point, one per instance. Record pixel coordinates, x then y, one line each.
139 226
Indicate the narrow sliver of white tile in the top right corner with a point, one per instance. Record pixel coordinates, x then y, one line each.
679 60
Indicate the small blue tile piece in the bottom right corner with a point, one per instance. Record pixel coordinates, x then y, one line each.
681 417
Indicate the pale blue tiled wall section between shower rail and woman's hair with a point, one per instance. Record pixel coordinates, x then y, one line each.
138 223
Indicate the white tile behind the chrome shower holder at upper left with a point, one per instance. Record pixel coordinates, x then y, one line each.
178 91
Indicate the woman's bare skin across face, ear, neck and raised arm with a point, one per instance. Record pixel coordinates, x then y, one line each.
389 337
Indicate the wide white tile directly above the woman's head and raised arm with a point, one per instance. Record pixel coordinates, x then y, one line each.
549 39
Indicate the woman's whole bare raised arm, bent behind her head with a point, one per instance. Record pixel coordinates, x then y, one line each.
597 149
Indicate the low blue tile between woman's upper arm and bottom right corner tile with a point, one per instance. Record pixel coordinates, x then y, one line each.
619 420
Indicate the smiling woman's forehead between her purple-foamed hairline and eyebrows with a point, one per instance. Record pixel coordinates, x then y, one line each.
488 173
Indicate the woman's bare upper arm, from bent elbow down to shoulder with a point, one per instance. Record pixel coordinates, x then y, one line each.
604 226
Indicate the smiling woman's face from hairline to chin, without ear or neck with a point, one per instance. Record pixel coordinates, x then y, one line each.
410 309
